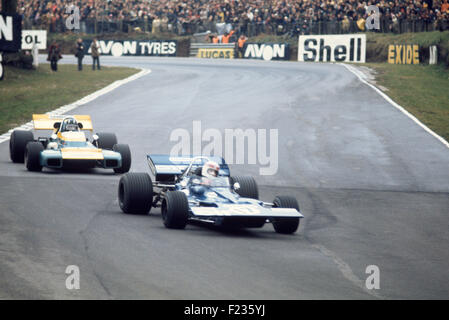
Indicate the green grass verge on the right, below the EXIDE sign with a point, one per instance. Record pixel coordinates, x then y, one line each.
422 90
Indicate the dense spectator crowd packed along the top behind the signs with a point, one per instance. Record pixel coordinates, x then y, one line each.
249 17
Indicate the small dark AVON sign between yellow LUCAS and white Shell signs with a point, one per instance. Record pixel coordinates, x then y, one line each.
267 51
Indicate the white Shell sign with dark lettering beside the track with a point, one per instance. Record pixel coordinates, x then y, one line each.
332 48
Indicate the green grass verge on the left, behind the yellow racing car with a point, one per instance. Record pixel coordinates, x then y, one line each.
24 92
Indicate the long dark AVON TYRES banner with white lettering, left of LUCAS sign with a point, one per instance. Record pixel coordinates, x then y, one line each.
117 48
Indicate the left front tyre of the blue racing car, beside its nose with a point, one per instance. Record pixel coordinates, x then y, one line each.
175 210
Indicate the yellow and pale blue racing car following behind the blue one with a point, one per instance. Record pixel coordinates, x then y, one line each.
68 146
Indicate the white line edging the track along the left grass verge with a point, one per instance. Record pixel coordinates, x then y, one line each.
64 109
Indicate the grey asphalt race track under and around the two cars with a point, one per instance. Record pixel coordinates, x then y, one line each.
372 184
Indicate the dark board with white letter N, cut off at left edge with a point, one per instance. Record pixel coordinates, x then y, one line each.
10 32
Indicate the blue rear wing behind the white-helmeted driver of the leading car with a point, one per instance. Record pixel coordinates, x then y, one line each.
165 167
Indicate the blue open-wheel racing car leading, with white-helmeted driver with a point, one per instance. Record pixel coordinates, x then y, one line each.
199 188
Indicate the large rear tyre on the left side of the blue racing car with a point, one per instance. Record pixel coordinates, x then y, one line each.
135 193
